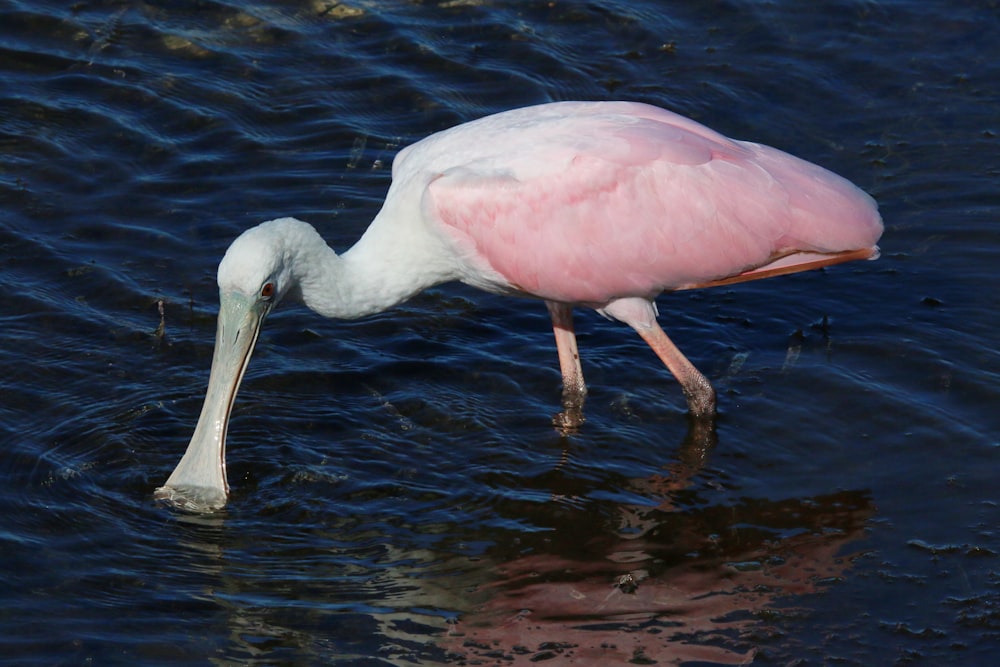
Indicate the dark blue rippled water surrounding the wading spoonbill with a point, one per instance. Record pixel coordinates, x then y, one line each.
399 496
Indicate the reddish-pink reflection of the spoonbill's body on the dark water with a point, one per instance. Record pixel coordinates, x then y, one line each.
669 580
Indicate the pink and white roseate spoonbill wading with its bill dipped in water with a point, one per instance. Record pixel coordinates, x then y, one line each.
596 204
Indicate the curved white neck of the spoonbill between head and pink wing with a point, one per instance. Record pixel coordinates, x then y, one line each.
384 268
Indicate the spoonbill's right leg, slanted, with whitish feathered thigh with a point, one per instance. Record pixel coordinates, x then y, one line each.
640 314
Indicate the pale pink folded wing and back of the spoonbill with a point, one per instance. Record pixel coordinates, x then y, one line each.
590 203
